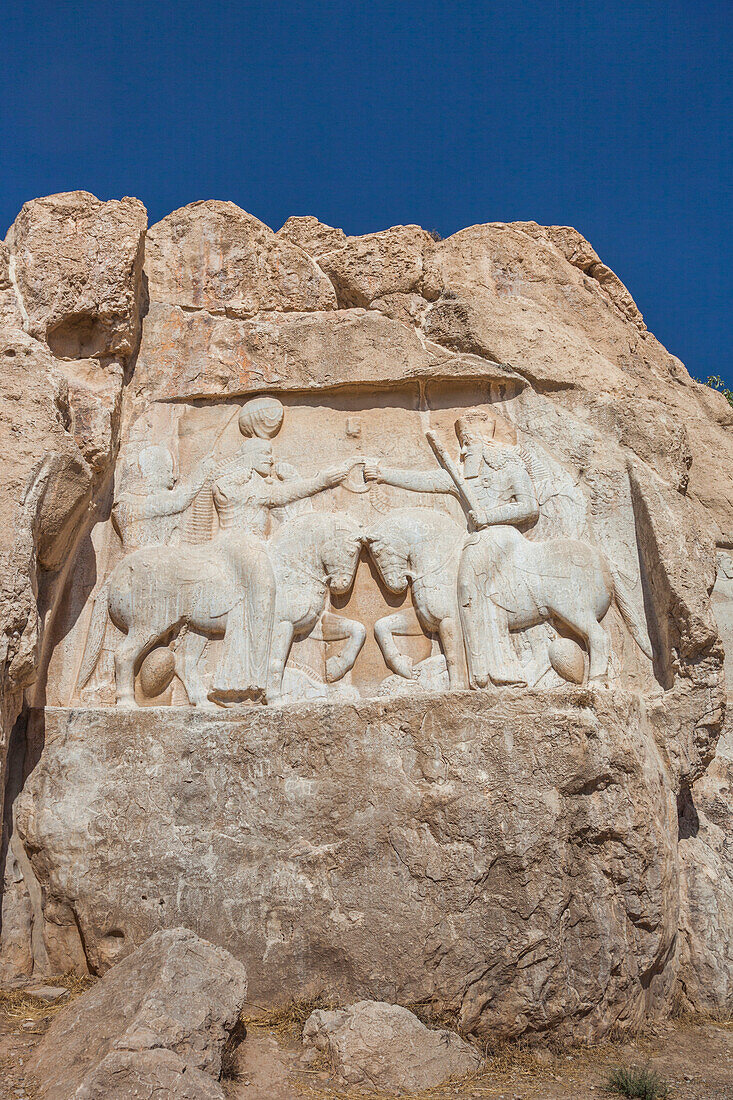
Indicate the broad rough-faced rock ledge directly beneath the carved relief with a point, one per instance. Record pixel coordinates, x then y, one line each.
511 854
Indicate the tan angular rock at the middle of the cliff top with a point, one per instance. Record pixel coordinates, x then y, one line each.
378 265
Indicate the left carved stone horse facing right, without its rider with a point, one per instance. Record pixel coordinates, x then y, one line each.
157 591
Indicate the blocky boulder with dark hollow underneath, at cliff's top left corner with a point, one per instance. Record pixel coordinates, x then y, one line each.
78 269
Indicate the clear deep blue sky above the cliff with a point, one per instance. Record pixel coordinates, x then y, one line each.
611 118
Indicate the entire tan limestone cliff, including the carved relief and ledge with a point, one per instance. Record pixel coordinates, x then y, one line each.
297 529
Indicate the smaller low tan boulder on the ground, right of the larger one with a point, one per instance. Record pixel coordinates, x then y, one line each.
377 1046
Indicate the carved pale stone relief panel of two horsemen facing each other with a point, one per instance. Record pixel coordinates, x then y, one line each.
267 553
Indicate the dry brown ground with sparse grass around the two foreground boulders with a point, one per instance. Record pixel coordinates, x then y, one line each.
693 1055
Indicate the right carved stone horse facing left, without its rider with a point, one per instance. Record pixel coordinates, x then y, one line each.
565 581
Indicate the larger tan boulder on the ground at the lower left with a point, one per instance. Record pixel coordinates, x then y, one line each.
176 994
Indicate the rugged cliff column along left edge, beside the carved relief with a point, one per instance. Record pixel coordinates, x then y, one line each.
71 299
